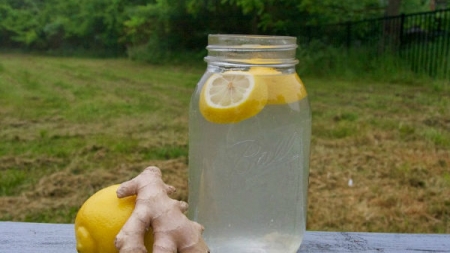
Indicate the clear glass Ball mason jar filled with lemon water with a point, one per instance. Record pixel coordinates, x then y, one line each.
249 146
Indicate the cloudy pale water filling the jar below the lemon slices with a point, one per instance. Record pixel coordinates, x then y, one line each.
248 180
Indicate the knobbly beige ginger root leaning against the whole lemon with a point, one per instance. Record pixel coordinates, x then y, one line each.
172 231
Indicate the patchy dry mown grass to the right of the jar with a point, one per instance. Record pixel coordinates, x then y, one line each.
374 165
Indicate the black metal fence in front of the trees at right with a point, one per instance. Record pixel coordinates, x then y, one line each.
421 39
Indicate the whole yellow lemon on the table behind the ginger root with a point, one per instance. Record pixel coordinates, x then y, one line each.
100 219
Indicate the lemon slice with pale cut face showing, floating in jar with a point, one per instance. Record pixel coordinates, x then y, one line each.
231 97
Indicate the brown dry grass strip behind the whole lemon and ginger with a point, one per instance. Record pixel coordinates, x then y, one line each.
57 196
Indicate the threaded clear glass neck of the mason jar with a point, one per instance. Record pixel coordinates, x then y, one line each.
251 50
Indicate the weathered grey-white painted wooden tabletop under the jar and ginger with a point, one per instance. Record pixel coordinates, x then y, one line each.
18 237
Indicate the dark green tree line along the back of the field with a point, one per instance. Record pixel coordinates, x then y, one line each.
154 26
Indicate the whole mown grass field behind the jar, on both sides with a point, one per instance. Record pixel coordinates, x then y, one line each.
380 156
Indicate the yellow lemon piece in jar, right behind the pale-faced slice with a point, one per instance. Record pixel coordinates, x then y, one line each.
281 88
